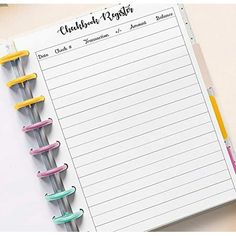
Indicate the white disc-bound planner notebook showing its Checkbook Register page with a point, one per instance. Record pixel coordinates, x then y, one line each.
129 136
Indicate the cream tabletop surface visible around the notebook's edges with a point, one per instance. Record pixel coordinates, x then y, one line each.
214 27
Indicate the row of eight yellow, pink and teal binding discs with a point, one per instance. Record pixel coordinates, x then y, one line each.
66 217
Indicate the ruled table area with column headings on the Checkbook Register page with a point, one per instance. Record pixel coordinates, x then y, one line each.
136 122
